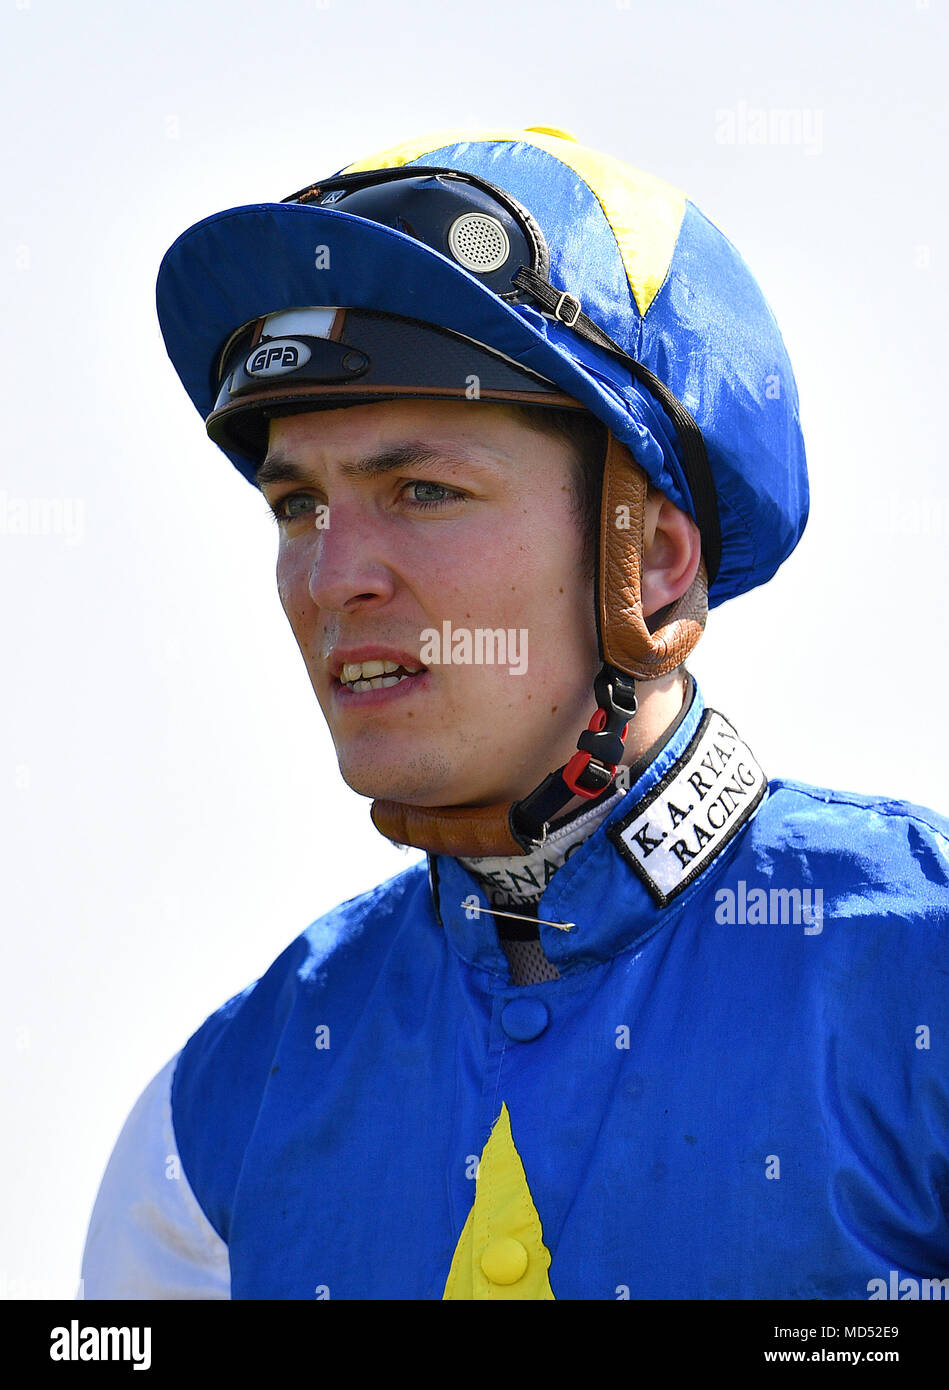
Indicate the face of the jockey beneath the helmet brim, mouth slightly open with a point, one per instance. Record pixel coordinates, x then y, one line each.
398 519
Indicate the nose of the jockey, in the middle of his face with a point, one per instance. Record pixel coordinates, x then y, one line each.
348 564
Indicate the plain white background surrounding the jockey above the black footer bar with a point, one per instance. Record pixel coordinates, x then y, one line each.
172 810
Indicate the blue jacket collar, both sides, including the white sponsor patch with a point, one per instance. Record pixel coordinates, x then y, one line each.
616 889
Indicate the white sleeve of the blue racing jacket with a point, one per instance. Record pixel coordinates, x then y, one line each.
148 1236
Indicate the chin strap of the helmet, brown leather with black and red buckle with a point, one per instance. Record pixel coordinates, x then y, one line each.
630 650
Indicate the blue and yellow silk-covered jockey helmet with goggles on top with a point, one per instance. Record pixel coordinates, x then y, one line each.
541 269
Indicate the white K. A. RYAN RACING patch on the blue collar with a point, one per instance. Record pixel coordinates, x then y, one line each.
687 821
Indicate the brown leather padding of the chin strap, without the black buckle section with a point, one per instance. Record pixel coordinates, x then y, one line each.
626 643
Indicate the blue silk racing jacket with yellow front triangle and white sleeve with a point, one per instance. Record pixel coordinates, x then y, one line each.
737 1089
